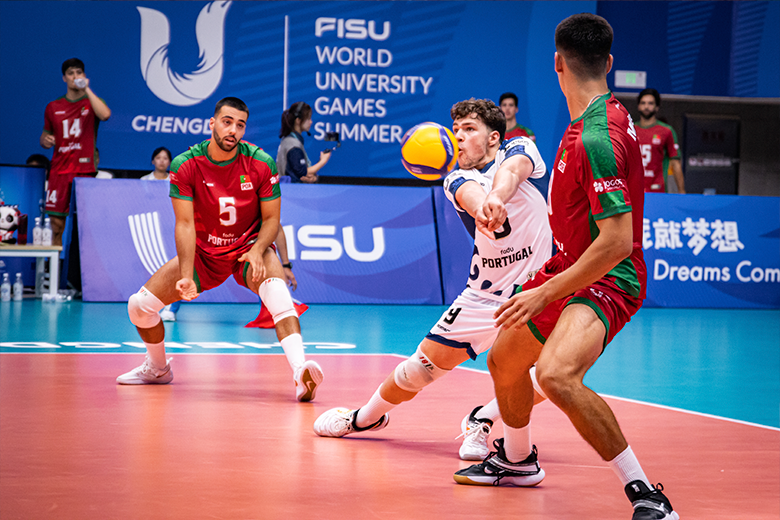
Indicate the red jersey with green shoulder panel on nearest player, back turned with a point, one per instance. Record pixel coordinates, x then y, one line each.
598 174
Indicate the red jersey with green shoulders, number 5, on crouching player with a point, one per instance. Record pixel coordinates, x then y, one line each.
226 196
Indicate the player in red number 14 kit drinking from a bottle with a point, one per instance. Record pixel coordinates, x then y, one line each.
70 126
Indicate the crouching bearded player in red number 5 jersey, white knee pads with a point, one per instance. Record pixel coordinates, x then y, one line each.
226 200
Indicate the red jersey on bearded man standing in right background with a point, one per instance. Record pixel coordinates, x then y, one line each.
658 144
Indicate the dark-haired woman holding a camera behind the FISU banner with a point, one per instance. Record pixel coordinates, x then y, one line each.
291 159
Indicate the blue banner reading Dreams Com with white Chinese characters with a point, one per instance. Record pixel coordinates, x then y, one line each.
712 252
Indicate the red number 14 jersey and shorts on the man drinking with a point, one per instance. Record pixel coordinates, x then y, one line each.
74 126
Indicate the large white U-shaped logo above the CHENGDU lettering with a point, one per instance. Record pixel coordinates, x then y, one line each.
183 90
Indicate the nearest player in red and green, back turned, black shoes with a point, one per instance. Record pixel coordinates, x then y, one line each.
563 318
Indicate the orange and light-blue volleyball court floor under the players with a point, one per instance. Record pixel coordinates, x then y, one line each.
696 394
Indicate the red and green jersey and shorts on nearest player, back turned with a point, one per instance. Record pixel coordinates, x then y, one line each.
597 174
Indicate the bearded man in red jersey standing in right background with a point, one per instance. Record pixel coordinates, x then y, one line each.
658 143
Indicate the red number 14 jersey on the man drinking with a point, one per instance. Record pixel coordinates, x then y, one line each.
74 126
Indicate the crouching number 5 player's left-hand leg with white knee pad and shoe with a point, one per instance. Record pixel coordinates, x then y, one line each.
143 308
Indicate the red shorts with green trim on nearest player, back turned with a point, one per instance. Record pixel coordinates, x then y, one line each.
612 304
